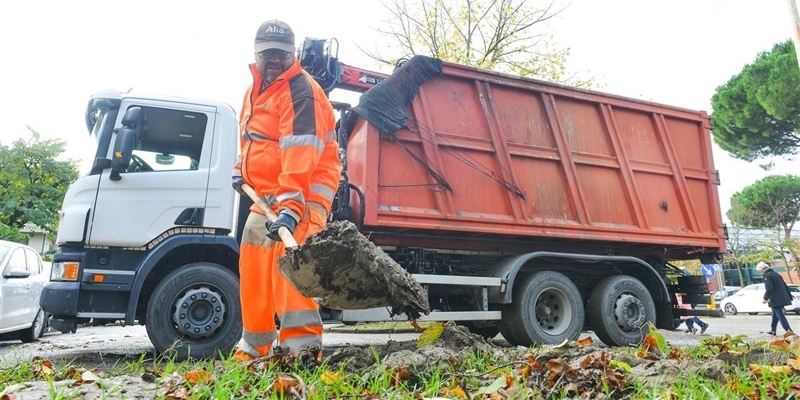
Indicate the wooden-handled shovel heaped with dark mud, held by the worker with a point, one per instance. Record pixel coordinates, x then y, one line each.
342 269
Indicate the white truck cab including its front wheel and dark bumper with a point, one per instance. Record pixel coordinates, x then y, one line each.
147 234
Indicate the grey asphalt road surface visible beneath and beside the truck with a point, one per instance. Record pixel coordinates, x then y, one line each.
109 344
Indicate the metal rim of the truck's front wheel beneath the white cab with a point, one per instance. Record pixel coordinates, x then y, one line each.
199 312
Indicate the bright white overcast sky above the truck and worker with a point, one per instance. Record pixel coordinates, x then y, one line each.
56 53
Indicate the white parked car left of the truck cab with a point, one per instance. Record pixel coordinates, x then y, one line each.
23 275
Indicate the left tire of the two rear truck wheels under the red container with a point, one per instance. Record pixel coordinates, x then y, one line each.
546 308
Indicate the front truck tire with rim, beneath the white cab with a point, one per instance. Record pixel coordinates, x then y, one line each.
195 312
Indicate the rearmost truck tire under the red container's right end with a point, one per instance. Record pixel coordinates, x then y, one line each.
620 308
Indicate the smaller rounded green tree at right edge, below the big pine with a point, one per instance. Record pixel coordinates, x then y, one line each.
768 203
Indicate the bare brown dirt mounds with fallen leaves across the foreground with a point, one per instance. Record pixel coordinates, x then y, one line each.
577 369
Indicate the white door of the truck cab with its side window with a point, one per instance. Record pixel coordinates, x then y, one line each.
166 183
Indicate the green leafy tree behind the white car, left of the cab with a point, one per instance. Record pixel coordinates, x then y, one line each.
32 184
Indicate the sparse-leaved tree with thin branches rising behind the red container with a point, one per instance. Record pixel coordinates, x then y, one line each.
501 35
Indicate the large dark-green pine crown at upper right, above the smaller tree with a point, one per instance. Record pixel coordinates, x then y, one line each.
757 112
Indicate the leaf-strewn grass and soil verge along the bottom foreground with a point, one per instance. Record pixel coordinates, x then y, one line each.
579 368
